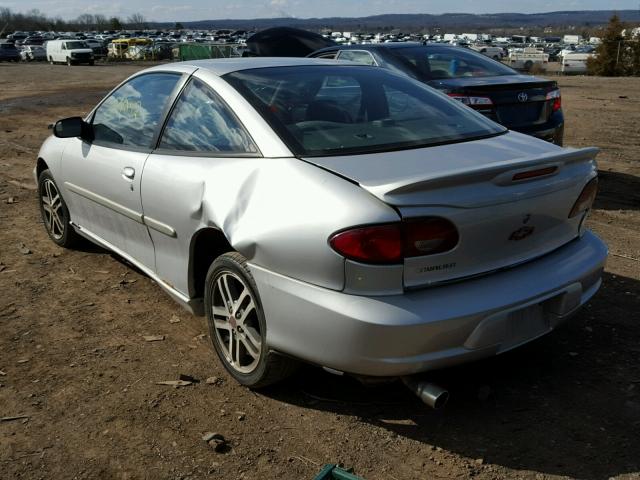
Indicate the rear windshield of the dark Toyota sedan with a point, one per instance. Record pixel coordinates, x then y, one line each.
437 63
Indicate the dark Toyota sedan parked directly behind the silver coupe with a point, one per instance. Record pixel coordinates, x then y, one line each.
522 103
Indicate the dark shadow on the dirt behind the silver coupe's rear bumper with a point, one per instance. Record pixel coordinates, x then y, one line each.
567 404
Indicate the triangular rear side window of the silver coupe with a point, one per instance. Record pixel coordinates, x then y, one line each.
201 122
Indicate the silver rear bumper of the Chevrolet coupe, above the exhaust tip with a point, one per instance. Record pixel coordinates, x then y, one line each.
433 327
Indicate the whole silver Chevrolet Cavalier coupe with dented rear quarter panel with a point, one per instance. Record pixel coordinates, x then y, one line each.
335 213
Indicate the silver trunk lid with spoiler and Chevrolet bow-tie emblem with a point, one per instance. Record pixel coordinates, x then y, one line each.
501 222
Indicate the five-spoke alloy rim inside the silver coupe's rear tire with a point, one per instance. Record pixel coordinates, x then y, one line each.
235 322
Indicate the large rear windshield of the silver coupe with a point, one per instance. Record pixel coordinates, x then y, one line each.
329 110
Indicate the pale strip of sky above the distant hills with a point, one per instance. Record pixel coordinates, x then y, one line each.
172 10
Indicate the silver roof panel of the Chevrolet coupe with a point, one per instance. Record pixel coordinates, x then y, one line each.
222 66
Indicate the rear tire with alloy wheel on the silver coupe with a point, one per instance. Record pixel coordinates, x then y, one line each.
237 324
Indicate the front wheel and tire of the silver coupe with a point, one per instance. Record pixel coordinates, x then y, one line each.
55 213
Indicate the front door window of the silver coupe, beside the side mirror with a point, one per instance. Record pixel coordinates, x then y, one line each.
130 116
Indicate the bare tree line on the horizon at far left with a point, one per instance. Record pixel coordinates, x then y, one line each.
35 20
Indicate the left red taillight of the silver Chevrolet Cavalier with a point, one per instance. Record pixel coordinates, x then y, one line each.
391 243
